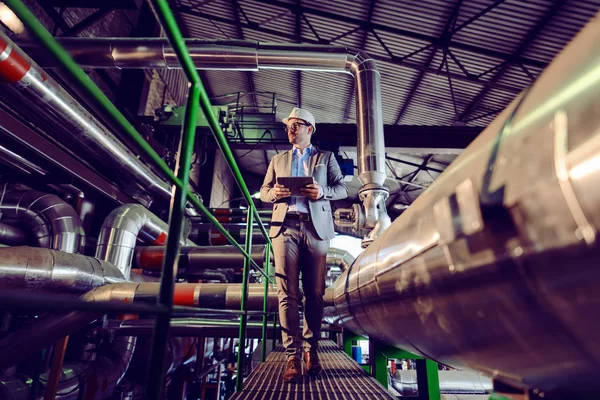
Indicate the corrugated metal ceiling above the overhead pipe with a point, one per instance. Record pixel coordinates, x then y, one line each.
405 37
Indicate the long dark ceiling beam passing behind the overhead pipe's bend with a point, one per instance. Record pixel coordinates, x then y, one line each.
398 61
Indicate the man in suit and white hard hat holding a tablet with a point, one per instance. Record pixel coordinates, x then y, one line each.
301 227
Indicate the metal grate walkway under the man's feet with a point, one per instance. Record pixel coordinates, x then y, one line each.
341 379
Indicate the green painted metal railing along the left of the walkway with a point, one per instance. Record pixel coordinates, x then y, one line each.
198 98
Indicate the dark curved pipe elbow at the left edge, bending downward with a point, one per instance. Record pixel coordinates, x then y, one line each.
53 223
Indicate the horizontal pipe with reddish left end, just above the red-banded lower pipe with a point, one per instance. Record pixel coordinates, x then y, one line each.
197 258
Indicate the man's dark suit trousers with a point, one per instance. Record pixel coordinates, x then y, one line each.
298 249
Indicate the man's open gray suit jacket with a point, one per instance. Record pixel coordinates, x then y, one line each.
326 171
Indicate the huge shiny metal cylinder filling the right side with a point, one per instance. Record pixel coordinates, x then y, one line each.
495 266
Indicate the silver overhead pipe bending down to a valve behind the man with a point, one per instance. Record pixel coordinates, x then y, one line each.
255 56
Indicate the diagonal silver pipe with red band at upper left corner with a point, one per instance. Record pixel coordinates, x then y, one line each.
41 100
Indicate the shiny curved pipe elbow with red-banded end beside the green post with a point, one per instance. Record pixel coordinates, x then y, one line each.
121 230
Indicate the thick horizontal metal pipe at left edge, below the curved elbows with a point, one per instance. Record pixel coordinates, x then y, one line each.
32 268
